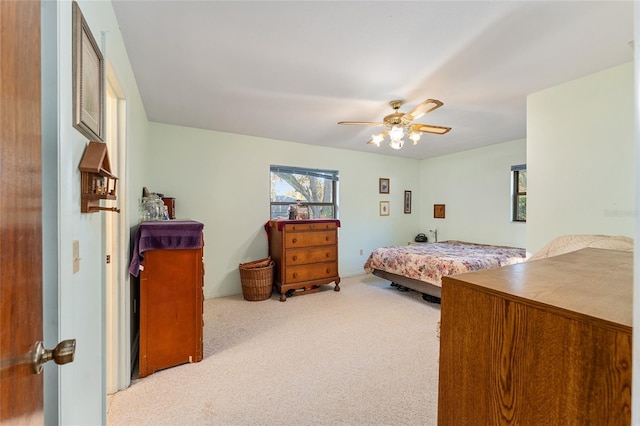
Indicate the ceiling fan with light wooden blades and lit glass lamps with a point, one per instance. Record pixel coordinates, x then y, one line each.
399 123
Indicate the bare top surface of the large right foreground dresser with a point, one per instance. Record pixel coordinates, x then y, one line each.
589 285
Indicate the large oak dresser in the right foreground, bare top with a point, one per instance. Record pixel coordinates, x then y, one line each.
546 342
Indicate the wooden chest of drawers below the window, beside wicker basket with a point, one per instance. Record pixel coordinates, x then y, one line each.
305 253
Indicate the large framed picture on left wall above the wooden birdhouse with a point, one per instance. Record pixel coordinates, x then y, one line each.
88 80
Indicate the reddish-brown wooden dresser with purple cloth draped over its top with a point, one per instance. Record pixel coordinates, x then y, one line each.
171 295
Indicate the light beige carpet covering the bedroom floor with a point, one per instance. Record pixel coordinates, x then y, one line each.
367 355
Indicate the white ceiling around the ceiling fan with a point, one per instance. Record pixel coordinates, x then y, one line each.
290 70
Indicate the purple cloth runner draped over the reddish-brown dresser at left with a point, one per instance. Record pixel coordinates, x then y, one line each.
164 235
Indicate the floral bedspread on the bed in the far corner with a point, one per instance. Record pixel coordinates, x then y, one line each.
430 262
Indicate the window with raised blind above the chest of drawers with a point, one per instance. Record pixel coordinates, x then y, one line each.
315 188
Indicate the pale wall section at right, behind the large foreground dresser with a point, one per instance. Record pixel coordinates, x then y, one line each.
580 152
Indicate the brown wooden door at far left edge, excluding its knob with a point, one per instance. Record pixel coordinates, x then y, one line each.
21 391
